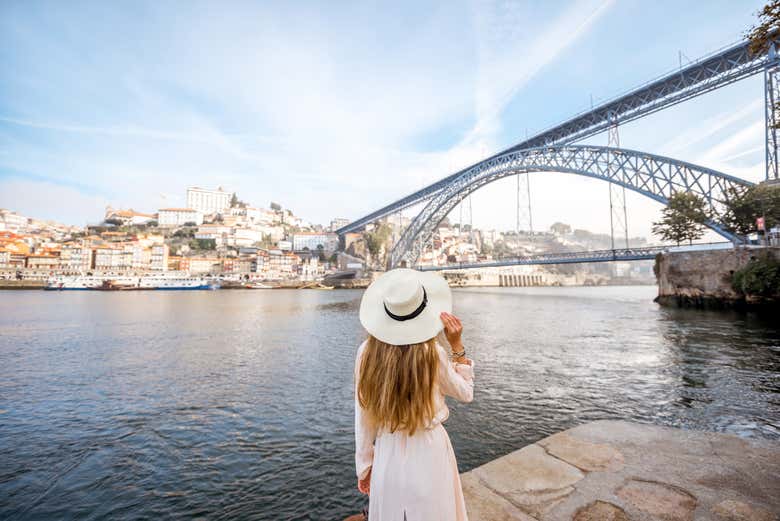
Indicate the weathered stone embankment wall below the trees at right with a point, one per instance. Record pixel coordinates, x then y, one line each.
703 278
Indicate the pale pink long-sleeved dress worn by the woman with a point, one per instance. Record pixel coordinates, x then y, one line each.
415 478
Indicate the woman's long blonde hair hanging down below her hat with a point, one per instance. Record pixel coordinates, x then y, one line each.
396 384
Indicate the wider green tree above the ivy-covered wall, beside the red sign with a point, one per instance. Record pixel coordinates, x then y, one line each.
745 205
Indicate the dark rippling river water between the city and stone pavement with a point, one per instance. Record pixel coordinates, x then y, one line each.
238 404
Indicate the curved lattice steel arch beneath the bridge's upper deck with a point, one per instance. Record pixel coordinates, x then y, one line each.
653 176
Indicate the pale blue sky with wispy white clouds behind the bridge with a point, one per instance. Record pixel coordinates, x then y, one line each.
335 108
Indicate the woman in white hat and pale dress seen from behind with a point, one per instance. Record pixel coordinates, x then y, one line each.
404 459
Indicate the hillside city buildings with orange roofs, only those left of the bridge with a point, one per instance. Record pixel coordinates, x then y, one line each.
209 236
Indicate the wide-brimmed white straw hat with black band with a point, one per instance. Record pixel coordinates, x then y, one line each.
403 306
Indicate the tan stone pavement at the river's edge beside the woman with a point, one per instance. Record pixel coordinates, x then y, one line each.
619 471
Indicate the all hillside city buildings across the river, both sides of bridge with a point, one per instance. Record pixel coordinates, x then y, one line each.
217 235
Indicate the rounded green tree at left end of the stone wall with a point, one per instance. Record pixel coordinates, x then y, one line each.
683 218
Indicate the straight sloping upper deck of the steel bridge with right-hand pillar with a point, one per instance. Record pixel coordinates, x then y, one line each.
704 75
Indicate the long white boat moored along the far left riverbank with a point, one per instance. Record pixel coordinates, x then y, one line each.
118 283
